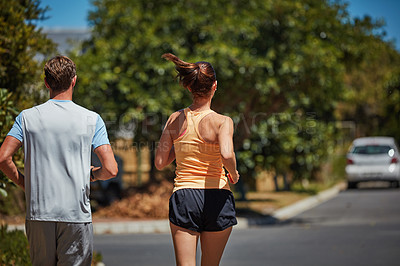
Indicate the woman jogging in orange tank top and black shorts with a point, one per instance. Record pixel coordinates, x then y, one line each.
202 205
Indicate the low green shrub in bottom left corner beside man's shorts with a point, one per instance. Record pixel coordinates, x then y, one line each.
14 248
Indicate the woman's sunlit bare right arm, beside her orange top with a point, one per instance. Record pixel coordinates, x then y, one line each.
225 140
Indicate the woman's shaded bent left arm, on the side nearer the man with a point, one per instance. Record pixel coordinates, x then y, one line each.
165 153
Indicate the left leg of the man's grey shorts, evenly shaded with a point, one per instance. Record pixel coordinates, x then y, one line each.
42 242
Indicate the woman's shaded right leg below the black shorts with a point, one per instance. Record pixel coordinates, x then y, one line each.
213 245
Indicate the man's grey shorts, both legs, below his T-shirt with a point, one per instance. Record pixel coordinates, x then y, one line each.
58 243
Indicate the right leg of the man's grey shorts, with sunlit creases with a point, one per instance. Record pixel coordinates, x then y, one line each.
74 243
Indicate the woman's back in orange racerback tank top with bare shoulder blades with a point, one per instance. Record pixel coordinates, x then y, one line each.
198 157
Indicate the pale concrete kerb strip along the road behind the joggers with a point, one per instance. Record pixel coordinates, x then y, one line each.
114 226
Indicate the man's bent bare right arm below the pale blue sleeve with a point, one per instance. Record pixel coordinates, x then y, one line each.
109 167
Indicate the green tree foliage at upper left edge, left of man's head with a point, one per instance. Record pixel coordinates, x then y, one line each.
21 46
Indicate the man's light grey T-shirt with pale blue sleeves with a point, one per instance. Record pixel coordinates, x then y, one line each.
58 137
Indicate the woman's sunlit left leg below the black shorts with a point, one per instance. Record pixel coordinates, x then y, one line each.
185 245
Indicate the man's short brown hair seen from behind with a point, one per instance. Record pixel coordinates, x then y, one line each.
59 72
